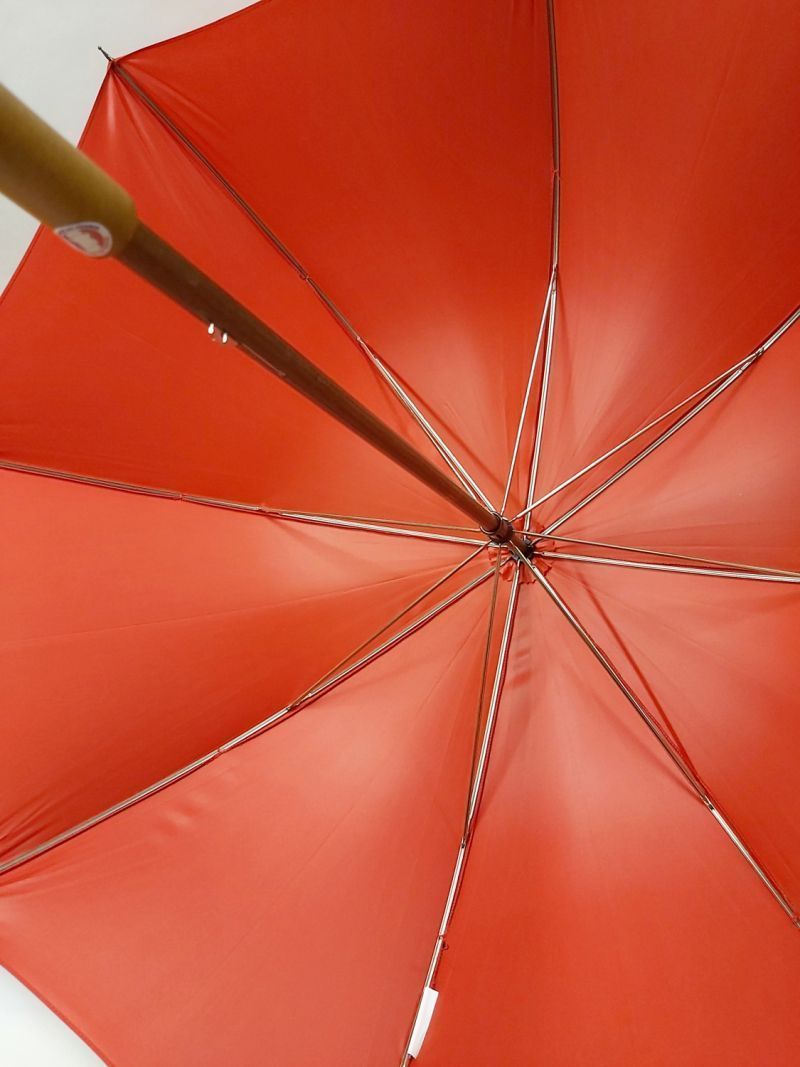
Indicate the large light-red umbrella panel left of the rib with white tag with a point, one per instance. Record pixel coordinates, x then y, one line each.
280 905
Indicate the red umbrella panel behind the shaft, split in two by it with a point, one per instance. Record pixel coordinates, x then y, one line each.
104 376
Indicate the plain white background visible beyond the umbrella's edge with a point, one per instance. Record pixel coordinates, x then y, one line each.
50 58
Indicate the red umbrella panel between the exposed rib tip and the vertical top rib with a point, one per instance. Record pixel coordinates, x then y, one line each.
403 153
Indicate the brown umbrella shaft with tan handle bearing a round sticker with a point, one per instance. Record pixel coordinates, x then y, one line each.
65 189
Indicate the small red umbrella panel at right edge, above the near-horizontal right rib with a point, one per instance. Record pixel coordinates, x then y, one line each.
727 485
